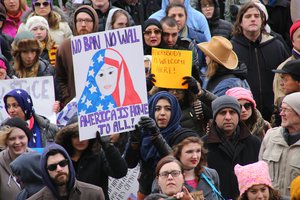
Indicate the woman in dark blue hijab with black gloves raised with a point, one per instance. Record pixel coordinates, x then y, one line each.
148 143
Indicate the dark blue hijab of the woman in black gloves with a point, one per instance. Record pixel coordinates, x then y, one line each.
148 151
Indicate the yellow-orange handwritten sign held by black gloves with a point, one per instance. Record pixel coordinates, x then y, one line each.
169 66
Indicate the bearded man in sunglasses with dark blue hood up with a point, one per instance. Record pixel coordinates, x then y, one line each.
59 177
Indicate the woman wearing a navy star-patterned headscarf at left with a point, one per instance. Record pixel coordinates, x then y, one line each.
18 103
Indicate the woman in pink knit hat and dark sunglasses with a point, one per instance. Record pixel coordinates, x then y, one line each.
249 114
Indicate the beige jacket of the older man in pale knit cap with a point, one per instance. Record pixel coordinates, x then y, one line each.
283 160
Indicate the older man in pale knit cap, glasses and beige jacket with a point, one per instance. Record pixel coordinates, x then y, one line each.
281 145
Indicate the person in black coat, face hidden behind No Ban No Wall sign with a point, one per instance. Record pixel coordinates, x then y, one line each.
93 164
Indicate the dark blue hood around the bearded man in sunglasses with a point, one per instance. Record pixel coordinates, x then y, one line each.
46 178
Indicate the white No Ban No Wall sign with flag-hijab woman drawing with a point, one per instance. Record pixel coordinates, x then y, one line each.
110 81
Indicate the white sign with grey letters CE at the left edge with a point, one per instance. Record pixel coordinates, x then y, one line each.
41 90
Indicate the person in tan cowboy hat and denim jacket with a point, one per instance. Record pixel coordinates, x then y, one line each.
224 71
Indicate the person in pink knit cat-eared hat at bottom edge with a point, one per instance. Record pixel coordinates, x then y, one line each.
255 182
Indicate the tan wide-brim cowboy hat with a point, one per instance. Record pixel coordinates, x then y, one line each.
220 50
